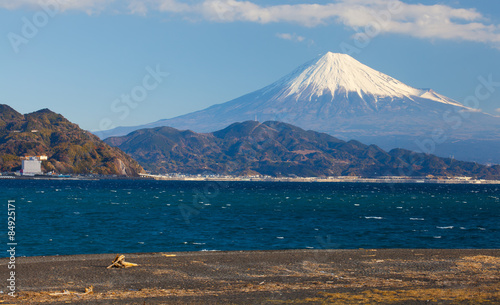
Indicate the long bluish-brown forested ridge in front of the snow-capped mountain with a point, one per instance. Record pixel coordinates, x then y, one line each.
280 149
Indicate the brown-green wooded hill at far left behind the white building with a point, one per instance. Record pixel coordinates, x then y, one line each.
69 149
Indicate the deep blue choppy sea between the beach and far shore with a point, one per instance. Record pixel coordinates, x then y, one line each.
126 216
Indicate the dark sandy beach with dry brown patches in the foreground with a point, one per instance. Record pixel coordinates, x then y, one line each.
263 277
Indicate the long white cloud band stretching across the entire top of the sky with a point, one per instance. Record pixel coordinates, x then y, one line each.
374 16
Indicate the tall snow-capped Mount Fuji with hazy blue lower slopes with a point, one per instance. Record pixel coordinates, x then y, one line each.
340 96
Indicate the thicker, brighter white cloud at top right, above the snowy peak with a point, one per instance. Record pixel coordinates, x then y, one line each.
395 16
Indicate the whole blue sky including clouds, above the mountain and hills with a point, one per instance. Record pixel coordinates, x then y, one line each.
80 57
